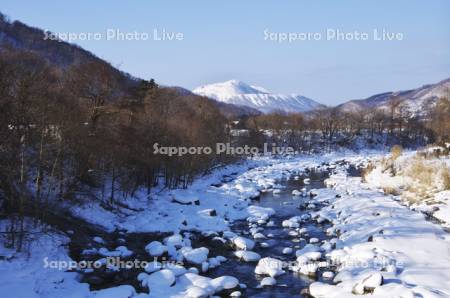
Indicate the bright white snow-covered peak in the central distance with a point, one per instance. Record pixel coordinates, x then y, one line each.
239 93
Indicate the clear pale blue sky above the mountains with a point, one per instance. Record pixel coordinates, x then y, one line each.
225 40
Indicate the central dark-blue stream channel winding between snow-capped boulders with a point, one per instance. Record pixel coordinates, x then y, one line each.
285 205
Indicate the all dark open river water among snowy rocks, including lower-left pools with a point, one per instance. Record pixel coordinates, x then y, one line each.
285 205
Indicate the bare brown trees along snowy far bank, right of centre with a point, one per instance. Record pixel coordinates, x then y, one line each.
331 128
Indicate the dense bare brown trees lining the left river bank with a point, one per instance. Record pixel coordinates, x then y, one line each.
87 132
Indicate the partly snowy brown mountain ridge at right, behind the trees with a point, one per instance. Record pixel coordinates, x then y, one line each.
417 101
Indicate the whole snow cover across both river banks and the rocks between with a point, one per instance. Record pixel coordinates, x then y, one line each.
377 243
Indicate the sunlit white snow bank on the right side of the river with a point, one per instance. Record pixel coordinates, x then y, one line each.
383 246
